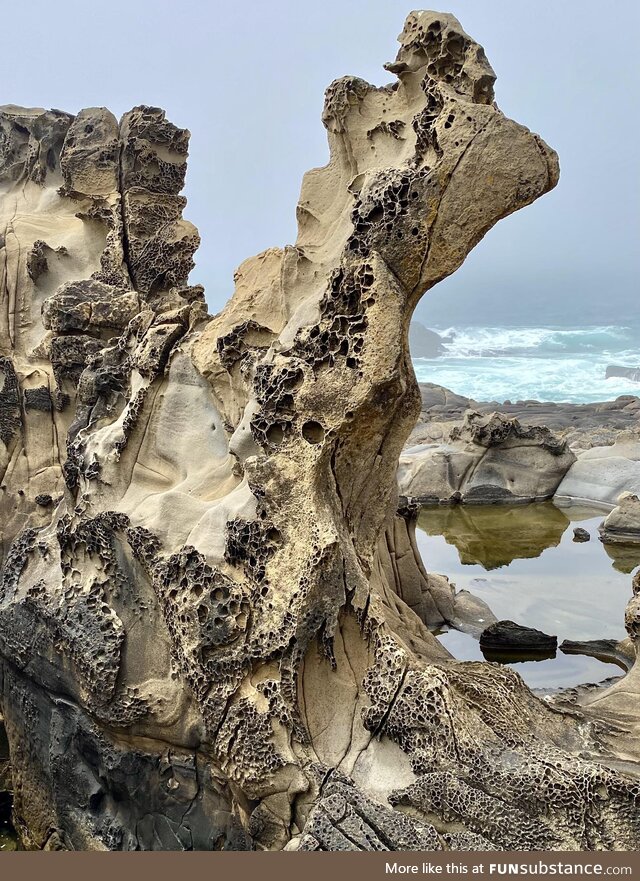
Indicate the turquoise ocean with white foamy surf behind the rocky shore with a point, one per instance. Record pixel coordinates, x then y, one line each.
558 364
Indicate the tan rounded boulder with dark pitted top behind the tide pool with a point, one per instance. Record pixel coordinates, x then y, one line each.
486 459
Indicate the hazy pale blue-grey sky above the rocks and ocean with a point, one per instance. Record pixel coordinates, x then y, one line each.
248 79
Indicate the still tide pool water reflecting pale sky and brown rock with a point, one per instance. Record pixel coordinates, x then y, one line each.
523 562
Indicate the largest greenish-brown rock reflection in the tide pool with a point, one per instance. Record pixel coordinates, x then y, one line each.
495 536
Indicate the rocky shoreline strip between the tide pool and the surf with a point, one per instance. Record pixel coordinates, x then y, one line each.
474 452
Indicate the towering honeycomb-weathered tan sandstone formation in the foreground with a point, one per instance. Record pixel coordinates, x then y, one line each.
203 636
